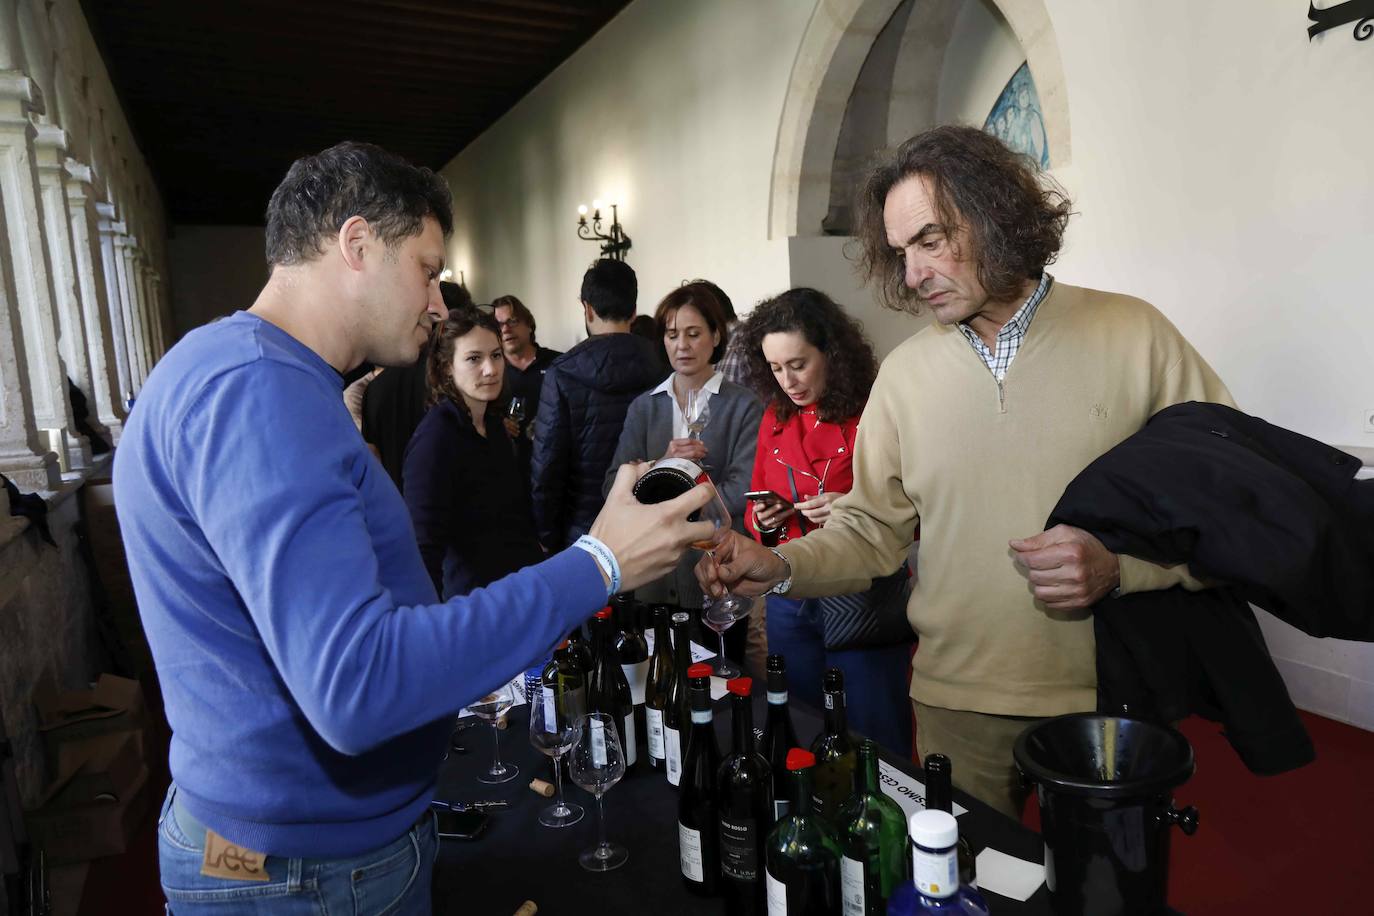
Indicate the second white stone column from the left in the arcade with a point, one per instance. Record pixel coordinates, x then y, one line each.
50 148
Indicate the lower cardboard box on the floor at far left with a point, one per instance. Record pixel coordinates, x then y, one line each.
98 800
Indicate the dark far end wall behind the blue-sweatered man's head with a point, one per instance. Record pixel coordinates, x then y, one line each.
216 271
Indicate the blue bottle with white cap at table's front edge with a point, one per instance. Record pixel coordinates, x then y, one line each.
935 866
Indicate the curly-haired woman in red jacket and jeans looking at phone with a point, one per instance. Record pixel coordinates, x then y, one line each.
814 367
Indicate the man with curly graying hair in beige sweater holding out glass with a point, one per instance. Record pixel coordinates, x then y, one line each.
975 428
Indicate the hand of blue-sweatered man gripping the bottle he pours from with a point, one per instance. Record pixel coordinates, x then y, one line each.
649 540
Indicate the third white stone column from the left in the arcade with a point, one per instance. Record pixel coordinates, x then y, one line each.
95 307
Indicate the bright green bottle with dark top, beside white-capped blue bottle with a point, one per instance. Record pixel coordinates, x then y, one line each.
873 838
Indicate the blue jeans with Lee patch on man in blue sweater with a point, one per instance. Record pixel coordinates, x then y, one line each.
392 880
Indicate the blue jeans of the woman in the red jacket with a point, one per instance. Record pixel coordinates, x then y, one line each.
877 680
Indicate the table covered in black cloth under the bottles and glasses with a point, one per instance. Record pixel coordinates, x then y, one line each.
519 860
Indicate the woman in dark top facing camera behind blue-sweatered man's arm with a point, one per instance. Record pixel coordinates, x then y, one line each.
464 484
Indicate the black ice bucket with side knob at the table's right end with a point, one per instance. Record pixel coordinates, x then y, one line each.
1107 810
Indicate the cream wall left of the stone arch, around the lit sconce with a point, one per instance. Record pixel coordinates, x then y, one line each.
673 112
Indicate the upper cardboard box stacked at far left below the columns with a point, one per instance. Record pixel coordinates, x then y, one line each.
112 705
